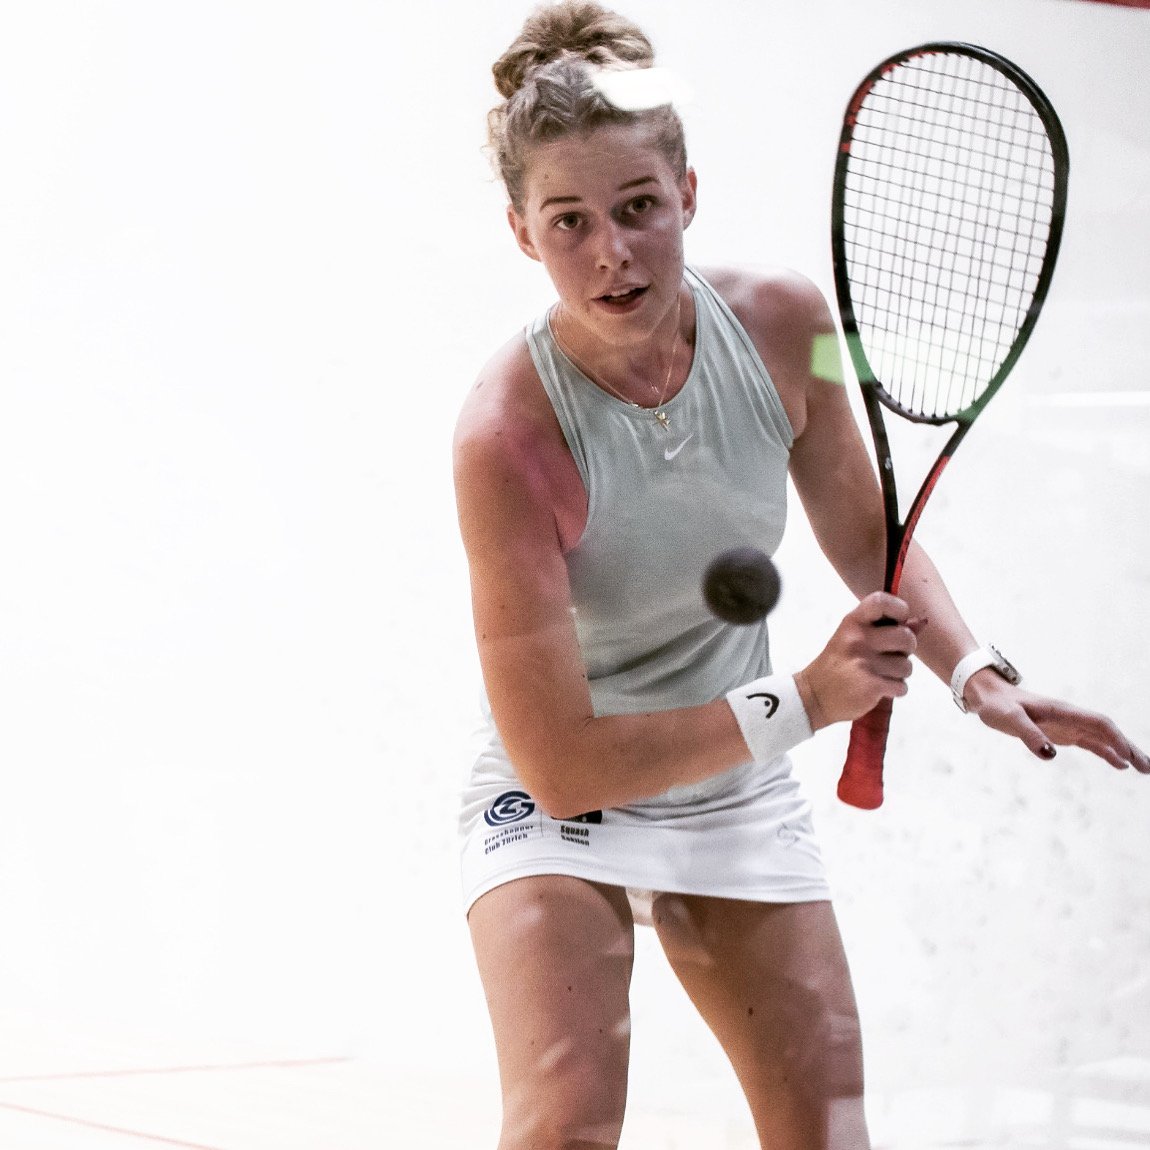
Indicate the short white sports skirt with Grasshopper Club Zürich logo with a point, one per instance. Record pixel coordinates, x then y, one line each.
746 834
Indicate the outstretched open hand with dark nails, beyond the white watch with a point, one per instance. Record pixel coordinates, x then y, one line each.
1042 723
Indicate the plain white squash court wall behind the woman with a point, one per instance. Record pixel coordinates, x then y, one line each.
252 258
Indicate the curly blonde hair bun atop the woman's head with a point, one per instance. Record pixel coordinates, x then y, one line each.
572 28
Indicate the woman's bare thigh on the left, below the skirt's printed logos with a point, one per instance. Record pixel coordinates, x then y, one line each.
556 957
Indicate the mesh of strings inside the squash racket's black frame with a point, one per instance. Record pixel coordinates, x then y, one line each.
947 214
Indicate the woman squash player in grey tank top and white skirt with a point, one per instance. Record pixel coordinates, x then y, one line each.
637 761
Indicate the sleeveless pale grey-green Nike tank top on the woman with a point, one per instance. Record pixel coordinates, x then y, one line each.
663 503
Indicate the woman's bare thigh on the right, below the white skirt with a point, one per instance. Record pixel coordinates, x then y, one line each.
771 980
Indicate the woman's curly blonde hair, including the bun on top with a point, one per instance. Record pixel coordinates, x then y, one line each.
547 79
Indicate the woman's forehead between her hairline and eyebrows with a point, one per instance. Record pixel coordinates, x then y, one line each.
596 164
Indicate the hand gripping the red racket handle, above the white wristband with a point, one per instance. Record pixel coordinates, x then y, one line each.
868 660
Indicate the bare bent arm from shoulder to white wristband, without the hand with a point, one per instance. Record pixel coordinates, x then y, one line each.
571 761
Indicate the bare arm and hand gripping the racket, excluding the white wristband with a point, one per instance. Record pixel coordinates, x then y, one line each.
515 482
